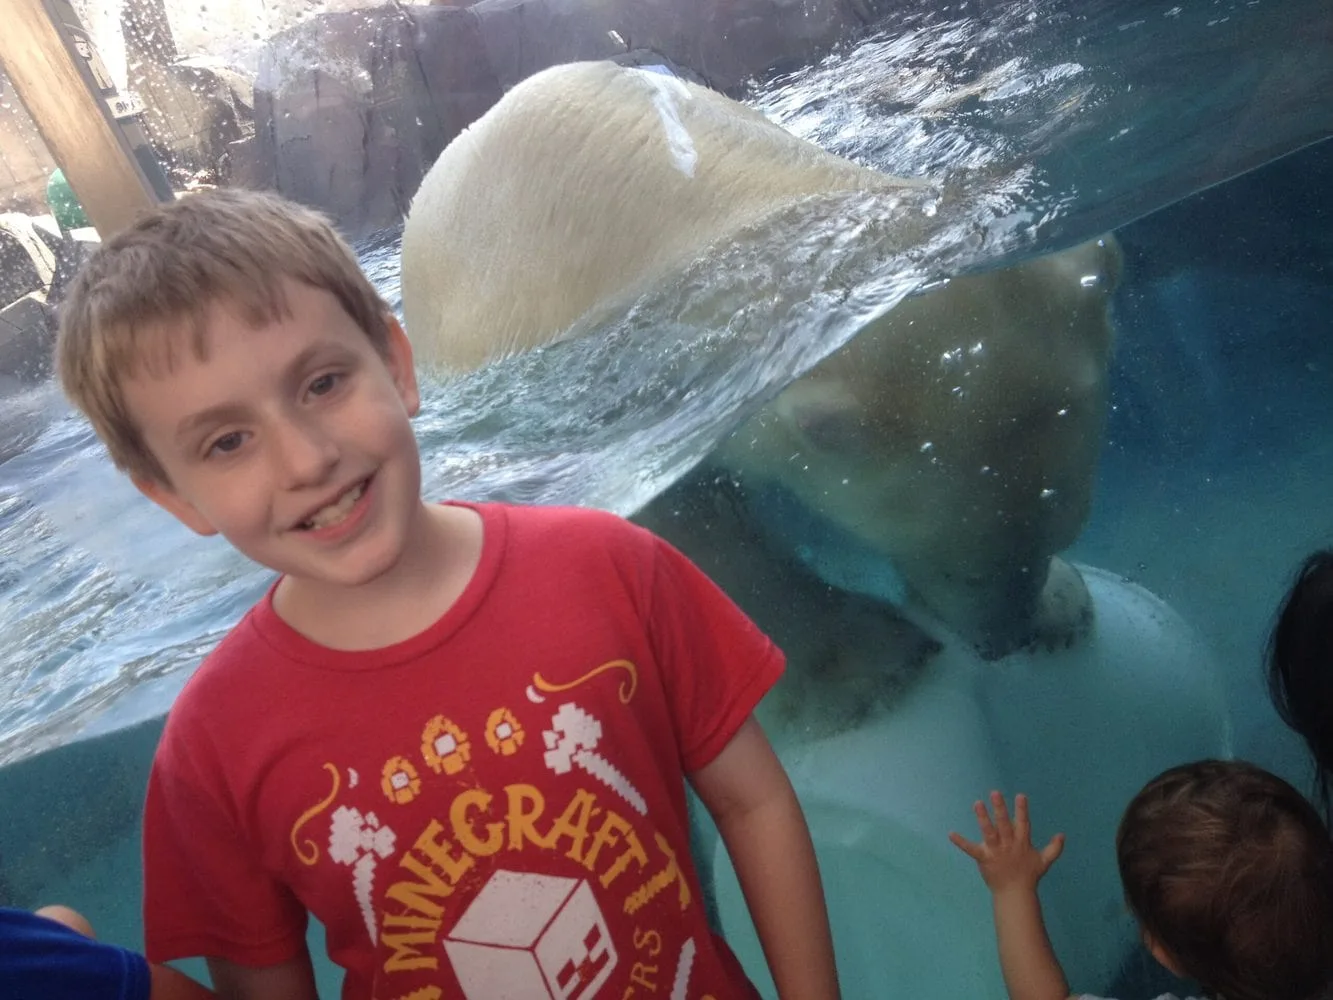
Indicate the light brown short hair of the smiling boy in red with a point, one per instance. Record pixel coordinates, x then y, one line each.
159 279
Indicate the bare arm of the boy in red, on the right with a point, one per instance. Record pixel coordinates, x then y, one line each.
760 821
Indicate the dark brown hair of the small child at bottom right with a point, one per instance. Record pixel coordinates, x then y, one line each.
1231 870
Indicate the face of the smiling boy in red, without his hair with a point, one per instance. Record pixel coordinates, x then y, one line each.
291 441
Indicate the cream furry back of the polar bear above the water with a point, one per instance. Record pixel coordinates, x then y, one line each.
578 190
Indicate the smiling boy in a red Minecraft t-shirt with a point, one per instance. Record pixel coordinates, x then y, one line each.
457 734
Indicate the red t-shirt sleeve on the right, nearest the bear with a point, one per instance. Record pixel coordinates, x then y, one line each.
716 662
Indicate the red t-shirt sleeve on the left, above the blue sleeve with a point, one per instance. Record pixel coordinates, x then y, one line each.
206 891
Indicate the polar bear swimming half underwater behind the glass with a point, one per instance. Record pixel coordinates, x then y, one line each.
938 463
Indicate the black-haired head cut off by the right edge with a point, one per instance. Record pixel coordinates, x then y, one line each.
1300 666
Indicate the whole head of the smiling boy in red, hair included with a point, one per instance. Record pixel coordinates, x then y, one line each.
242 369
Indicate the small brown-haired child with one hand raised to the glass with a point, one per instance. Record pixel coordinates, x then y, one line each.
1227 869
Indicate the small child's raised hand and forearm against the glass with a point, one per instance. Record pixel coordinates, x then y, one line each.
1012 867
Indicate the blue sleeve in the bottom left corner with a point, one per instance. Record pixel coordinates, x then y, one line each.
45 961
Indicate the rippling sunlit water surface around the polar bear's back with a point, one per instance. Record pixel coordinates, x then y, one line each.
1050 123
